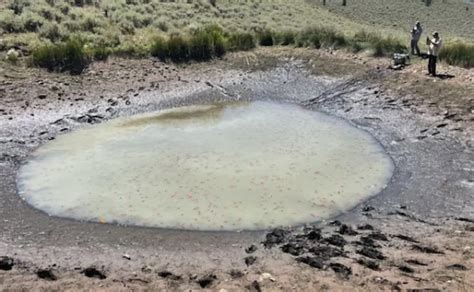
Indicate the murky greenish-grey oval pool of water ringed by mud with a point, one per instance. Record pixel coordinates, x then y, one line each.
241 166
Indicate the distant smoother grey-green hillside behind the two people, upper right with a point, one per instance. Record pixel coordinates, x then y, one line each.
452 18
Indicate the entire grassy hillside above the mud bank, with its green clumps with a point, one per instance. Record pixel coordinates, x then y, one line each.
52 30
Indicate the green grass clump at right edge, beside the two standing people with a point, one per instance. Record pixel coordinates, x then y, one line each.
458 54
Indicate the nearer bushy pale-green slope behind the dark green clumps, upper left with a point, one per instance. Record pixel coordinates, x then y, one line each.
128 22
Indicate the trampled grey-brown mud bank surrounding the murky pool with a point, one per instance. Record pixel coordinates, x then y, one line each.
417 234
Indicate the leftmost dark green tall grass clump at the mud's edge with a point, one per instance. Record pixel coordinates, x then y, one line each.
68 56
